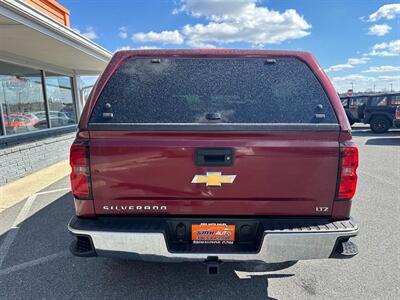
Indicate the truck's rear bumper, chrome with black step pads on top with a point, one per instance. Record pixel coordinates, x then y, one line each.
280 241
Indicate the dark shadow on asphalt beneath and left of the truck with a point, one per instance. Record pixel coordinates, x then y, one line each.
38 259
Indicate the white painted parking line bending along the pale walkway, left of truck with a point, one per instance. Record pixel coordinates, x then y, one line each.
22 215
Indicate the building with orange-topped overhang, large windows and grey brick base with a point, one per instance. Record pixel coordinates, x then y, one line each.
41 62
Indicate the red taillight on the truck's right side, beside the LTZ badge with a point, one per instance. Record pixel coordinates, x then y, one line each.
348 176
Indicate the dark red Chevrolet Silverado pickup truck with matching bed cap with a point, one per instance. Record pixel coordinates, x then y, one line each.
213 155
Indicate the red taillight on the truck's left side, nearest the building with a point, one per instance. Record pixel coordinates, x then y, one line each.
80 174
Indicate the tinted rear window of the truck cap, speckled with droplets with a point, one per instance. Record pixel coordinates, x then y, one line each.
192 90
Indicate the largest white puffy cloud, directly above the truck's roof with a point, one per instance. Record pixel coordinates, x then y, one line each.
233 21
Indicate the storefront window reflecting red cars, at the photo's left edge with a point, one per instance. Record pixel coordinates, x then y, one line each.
21 99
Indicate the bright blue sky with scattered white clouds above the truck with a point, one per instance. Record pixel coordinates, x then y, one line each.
357 42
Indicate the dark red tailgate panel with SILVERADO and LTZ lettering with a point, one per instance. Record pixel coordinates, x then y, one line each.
278 173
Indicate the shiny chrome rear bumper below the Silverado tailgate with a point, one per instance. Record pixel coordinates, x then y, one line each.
277 245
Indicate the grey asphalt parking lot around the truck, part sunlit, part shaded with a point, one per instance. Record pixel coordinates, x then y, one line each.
35 261
